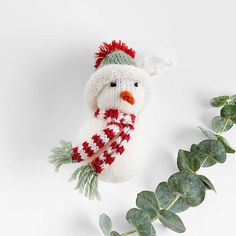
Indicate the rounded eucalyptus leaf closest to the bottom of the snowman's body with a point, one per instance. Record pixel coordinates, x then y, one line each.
147 201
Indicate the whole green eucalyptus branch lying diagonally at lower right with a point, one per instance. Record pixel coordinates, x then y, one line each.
185 188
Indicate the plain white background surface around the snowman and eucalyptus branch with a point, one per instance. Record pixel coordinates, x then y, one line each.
46 57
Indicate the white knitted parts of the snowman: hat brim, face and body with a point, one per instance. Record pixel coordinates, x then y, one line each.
100 94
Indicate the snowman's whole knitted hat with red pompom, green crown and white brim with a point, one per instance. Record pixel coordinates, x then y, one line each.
114 61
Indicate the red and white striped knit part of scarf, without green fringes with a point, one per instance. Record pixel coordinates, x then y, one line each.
117 132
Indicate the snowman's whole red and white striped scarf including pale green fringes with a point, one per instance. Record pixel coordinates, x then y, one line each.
119 125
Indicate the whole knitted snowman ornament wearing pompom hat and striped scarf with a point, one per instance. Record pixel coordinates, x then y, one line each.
110 145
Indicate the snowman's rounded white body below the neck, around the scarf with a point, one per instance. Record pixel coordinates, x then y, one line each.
129 163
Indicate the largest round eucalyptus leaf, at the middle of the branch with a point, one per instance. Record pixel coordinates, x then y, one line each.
187 187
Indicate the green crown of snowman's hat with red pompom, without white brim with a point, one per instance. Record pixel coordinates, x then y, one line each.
114 53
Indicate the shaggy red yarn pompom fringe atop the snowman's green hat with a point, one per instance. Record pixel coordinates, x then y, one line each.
107 48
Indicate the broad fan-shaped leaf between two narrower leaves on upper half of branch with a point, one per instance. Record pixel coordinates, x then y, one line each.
209 152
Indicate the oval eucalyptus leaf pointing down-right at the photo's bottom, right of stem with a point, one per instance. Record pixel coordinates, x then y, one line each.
172 221
